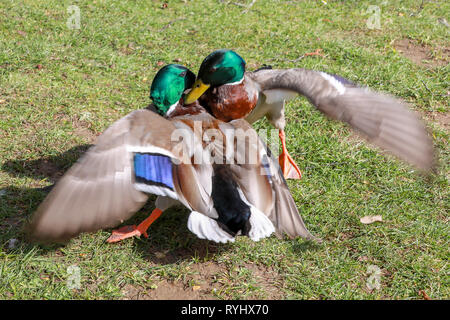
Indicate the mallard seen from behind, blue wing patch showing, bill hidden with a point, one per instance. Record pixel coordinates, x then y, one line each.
169 155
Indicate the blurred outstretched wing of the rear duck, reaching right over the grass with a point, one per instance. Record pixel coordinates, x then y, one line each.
383 120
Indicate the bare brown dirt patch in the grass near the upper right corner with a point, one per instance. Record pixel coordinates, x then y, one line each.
420 54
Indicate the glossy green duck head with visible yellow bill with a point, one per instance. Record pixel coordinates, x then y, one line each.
219 68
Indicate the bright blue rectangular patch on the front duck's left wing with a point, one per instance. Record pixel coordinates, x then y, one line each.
153 169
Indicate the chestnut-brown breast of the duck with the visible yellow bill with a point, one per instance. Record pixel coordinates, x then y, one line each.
229 102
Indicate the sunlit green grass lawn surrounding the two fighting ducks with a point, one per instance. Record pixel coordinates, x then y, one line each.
90 77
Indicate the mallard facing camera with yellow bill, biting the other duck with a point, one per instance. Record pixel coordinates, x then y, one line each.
228 92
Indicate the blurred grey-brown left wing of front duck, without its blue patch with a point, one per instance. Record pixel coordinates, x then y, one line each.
98 192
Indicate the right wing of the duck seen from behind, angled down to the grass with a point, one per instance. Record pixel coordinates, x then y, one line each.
264 186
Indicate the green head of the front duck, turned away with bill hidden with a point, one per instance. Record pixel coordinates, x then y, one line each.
168 86
